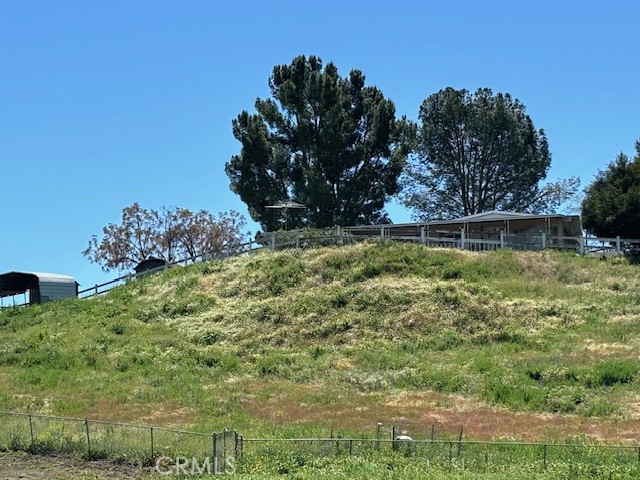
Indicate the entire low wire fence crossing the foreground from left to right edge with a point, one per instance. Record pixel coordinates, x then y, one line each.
147 445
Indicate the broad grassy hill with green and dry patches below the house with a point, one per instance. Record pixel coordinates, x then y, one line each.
506 344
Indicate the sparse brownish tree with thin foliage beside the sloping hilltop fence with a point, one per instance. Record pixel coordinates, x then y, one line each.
169 233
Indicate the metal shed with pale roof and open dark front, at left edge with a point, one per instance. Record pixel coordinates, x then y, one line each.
40 287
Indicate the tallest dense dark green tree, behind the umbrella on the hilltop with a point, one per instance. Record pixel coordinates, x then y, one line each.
329 143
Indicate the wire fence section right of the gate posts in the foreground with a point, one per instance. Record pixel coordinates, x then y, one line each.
452 452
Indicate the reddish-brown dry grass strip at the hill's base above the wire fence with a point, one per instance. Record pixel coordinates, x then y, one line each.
417 413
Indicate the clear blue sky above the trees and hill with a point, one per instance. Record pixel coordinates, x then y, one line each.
103 104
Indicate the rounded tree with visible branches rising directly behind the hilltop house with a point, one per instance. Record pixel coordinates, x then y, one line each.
479 152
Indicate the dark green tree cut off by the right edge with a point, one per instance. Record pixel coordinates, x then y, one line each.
611 206
